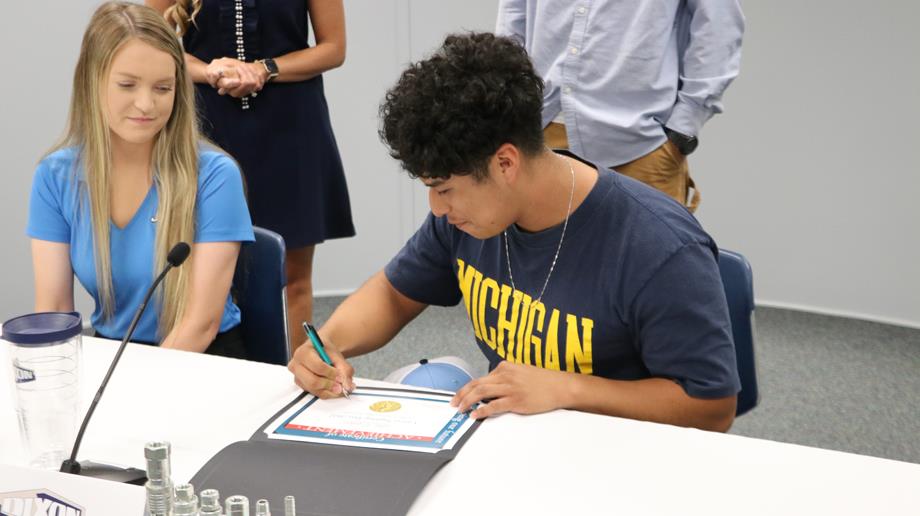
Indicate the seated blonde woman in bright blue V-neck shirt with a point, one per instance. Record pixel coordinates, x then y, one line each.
129 180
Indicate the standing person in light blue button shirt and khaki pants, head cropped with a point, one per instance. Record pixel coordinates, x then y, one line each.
629 84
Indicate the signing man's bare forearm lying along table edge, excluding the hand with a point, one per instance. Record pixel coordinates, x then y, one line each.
653 399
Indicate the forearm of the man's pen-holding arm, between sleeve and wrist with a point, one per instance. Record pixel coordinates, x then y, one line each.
369 318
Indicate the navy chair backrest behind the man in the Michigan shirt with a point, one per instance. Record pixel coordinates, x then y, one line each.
738 281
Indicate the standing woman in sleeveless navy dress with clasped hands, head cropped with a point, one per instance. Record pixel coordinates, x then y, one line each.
260 94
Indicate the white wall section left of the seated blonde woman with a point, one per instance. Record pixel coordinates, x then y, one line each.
42 41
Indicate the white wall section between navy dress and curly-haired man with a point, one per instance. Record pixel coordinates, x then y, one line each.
383 37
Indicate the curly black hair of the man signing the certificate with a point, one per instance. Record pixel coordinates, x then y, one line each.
447 115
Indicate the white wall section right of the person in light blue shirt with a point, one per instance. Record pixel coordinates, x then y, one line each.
812 172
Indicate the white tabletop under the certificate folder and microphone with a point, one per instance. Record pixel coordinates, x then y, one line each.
562 462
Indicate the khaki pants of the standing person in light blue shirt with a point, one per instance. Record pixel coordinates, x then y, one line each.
665 168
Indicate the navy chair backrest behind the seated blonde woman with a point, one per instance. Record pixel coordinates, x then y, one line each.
259 289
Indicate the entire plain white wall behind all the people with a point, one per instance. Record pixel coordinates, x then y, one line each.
810 172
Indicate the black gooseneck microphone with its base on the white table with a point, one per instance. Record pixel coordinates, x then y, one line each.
176 256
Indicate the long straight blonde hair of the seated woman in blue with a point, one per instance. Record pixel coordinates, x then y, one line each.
175 152
